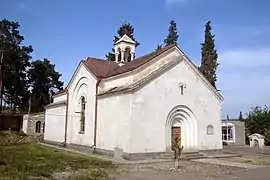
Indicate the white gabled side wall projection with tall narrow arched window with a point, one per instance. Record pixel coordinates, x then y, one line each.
83 84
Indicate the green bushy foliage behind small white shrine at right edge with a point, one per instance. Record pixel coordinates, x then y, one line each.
258 121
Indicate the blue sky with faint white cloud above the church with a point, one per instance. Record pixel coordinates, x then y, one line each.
69 31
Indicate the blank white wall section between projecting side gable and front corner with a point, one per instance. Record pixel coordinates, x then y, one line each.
113 126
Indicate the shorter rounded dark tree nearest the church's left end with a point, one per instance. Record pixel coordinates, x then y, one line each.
44 82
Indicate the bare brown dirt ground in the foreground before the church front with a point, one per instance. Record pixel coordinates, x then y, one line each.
189 170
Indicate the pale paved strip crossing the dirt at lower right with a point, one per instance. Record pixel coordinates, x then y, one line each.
228 163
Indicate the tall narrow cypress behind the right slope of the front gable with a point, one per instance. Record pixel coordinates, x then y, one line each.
209 55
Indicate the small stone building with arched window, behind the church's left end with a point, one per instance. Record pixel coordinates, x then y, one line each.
34 124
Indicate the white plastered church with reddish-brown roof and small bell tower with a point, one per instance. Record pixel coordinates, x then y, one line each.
137 105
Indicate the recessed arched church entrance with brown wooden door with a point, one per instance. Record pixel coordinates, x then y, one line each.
181 122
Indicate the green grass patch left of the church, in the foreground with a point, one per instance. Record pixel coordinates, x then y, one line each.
19 161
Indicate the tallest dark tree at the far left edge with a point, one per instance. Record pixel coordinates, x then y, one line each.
14 62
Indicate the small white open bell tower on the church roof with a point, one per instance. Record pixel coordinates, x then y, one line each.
124 49
